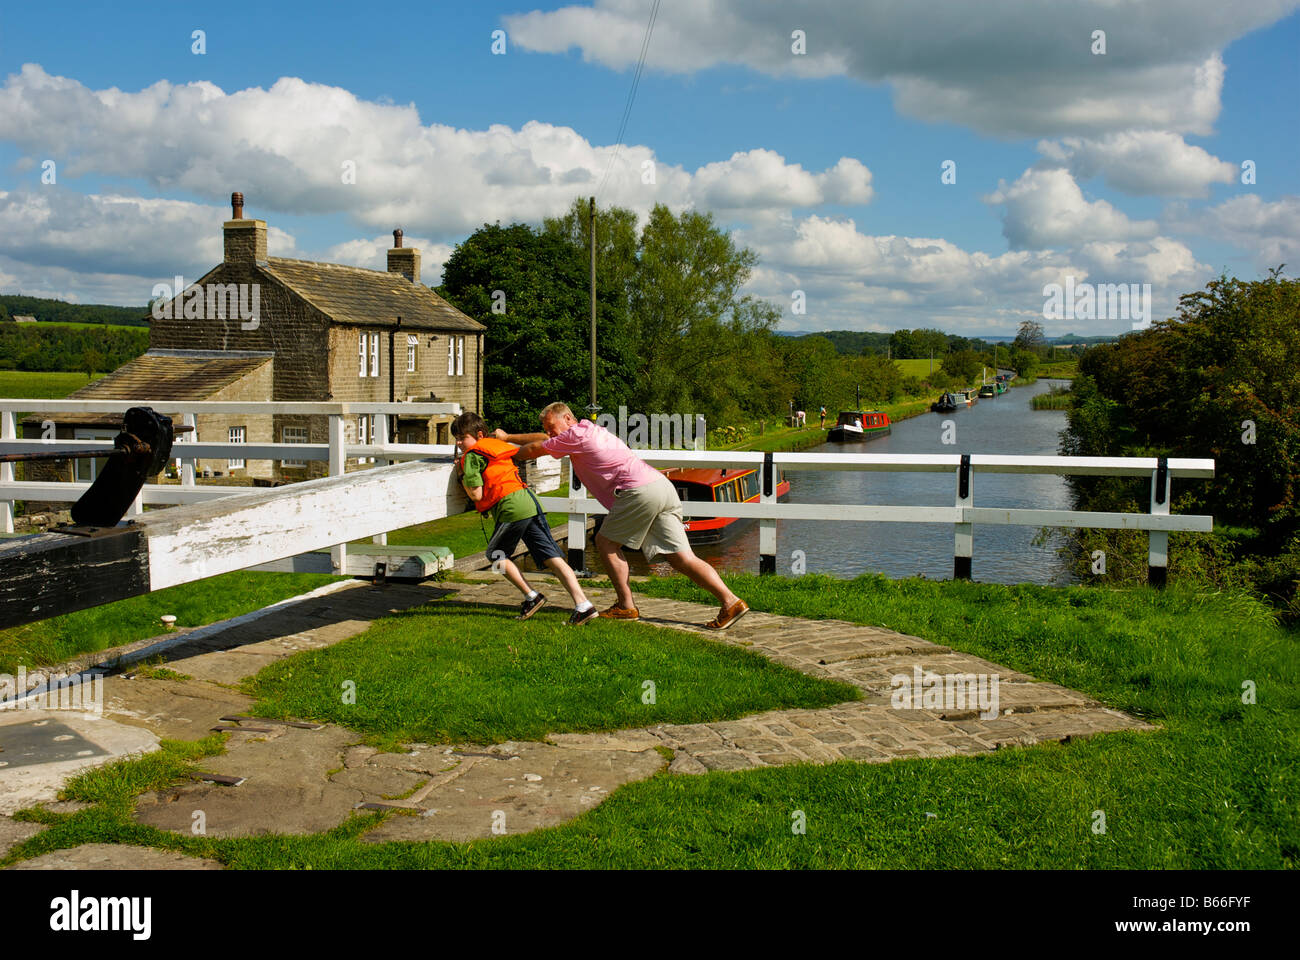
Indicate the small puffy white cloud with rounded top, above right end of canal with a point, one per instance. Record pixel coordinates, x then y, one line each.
1047 209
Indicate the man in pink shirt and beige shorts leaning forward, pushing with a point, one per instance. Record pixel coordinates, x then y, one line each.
645 512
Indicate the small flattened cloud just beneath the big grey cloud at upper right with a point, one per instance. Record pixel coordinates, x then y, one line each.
1142 163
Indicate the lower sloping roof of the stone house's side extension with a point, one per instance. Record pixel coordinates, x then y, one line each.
163 375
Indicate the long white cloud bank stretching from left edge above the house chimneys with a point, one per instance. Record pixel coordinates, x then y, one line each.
291 149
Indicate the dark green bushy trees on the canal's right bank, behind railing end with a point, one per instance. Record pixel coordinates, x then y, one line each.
1221 379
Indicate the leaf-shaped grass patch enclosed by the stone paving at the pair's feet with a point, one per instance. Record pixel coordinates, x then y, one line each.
452 672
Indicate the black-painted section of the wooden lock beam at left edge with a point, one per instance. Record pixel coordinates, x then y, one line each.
51 574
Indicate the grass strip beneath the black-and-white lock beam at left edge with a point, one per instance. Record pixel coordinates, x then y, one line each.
137 619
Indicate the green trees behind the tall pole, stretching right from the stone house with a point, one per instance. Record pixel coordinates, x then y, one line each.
674 331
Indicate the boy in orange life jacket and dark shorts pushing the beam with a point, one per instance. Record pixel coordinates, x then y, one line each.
492 482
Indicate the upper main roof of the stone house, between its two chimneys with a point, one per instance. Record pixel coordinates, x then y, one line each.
359 296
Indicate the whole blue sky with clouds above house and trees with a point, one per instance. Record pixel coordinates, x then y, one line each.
933 163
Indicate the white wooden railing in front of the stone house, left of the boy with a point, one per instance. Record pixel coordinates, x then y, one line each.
337 452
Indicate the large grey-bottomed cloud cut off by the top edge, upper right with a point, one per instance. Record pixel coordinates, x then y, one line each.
1003 67
